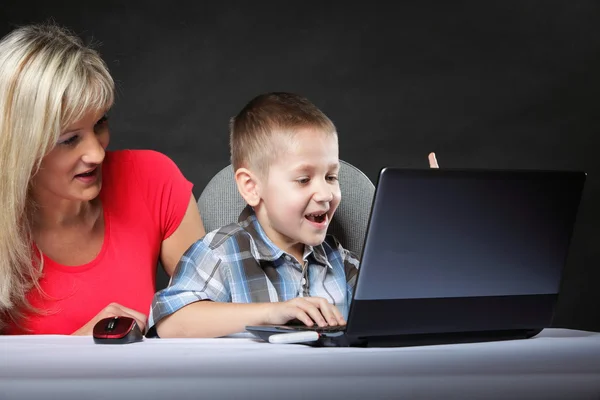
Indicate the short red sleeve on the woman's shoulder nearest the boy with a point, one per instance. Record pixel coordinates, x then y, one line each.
164 190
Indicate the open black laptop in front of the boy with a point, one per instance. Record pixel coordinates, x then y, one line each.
456 256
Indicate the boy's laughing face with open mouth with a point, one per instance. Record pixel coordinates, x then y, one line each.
301 192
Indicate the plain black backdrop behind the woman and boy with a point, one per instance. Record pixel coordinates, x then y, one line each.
511 84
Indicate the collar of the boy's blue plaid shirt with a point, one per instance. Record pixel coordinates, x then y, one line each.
265 249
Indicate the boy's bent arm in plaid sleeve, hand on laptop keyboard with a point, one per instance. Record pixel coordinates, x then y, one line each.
197 302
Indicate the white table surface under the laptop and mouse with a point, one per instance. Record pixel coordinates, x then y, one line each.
556 364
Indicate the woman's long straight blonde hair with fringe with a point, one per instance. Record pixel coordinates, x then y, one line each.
48 80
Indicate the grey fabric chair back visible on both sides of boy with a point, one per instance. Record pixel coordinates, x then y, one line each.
220 204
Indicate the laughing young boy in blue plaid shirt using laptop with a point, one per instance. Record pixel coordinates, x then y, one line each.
277 263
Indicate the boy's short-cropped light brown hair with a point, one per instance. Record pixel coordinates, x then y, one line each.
253 131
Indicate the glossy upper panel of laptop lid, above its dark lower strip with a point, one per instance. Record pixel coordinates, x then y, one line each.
448 233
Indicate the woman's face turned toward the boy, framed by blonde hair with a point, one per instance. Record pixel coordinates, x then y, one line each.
73 169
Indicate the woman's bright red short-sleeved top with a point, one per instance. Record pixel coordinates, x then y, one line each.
144 197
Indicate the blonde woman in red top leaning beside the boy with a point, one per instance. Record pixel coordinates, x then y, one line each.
81 228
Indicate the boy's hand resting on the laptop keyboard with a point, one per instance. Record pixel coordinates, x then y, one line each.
309 310
